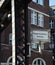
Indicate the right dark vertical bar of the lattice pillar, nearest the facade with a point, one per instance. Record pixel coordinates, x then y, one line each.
26 32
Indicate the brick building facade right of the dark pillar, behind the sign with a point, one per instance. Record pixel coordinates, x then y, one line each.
39 20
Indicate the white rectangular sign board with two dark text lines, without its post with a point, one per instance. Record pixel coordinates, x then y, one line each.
41 35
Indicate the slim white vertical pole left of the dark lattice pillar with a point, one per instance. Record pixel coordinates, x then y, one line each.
13 32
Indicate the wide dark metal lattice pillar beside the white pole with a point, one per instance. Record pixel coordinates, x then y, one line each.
19 6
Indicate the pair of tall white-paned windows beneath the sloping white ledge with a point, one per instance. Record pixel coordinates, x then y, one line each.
37 19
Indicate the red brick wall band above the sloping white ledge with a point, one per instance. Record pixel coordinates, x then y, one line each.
45 8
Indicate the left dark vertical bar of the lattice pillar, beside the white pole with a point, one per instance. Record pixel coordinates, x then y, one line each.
17 6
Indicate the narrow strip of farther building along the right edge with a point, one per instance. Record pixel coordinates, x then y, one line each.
53 30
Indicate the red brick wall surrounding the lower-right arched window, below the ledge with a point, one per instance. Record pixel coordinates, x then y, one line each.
45 55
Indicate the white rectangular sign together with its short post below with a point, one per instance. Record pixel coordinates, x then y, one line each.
40 37
